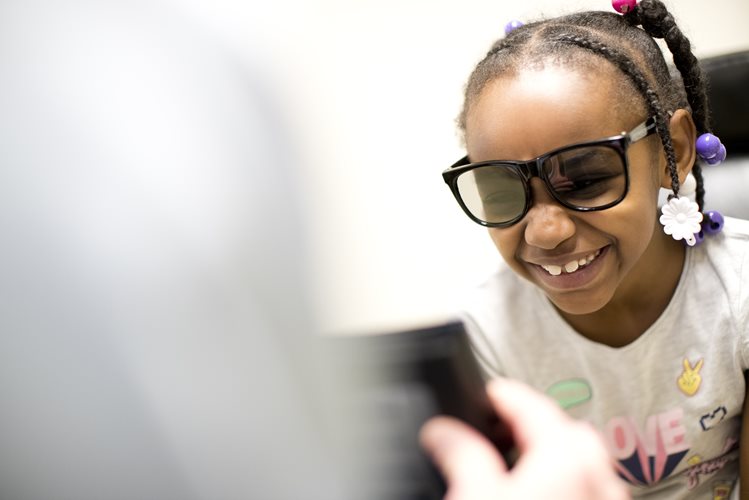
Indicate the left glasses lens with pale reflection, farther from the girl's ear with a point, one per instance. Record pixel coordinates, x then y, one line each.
492 193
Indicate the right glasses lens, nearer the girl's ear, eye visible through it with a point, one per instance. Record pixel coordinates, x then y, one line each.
587 177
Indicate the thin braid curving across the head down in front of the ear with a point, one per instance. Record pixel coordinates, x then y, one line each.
653 102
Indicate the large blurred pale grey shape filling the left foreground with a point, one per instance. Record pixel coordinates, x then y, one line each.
152 301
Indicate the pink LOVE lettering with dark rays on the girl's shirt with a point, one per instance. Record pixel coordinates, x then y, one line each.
650 454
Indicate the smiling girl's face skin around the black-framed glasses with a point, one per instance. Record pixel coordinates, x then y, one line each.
605 254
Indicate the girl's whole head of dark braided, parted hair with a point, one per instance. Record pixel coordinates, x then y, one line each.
618 40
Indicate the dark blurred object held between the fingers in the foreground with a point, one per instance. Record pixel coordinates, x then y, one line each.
397 382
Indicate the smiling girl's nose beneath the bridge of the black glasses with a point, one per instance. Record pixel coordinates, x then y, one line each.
547 223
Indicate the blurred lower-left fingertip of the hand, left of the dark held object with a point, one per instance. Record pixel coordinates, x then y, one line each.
464 456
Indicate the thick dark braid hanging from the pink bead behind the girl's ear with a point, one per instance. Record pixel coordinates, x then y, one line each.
658 22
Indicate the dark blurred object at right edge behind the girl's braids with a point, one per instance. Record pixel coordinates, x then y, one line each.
728 77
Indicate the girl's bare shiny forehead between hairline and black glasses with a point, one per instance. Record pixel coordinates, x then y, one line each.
533 111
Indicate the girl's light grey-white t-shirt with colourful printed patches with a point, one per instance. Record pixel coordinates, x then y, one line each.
668 404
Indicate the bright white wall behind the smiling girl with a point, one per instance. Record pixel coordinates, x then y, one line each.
370 90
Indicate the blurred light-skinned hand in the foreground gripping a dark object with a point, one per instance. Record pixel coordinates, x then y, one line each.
559 458
